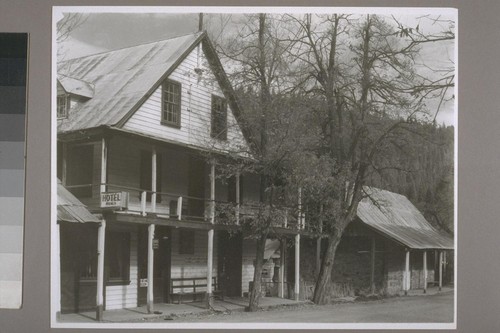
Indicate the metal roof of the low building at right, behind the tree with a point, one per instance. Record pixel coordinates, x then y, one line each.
395 216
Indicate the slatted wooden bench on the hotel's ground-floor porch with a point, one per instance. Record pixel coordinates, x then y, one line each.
192 286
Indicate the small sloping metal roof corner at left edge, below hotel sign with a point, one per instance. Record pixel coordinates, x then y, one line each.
70 209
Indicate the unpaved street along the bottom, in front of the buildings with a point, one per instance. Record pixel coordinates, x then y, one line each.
416 309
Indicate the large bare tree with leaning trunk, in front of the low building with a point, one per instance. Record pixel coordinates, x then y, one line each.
362 73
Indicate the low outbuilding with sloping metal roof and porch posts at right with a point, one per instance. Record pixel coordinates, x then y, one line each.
389 249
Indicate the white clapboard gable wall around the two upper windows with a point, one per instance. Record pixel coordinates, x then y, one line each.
196 104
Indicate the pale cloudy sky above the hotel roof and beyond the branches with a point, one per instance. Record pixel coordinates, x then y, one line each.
110 30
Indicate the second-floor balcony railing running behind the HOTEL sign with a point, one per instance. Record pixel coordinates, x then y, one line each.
187 208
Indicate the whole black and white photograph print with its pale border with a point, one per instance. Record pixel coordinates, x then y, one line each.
254 167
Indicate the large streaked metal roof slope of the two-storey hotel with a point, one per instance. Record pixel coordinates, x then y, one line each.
121 78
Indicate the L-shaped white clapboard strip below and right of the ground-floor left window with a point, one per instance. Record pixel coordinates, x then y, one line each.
119 297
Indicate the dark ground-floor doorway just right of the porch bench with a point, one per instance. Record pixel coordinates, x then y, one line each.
230 250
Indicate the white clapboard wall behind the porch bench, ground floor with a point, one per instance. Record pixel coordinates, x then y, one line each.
192 265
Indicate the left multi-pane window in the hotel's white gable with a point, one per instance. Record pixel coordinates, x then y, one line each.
171 104
